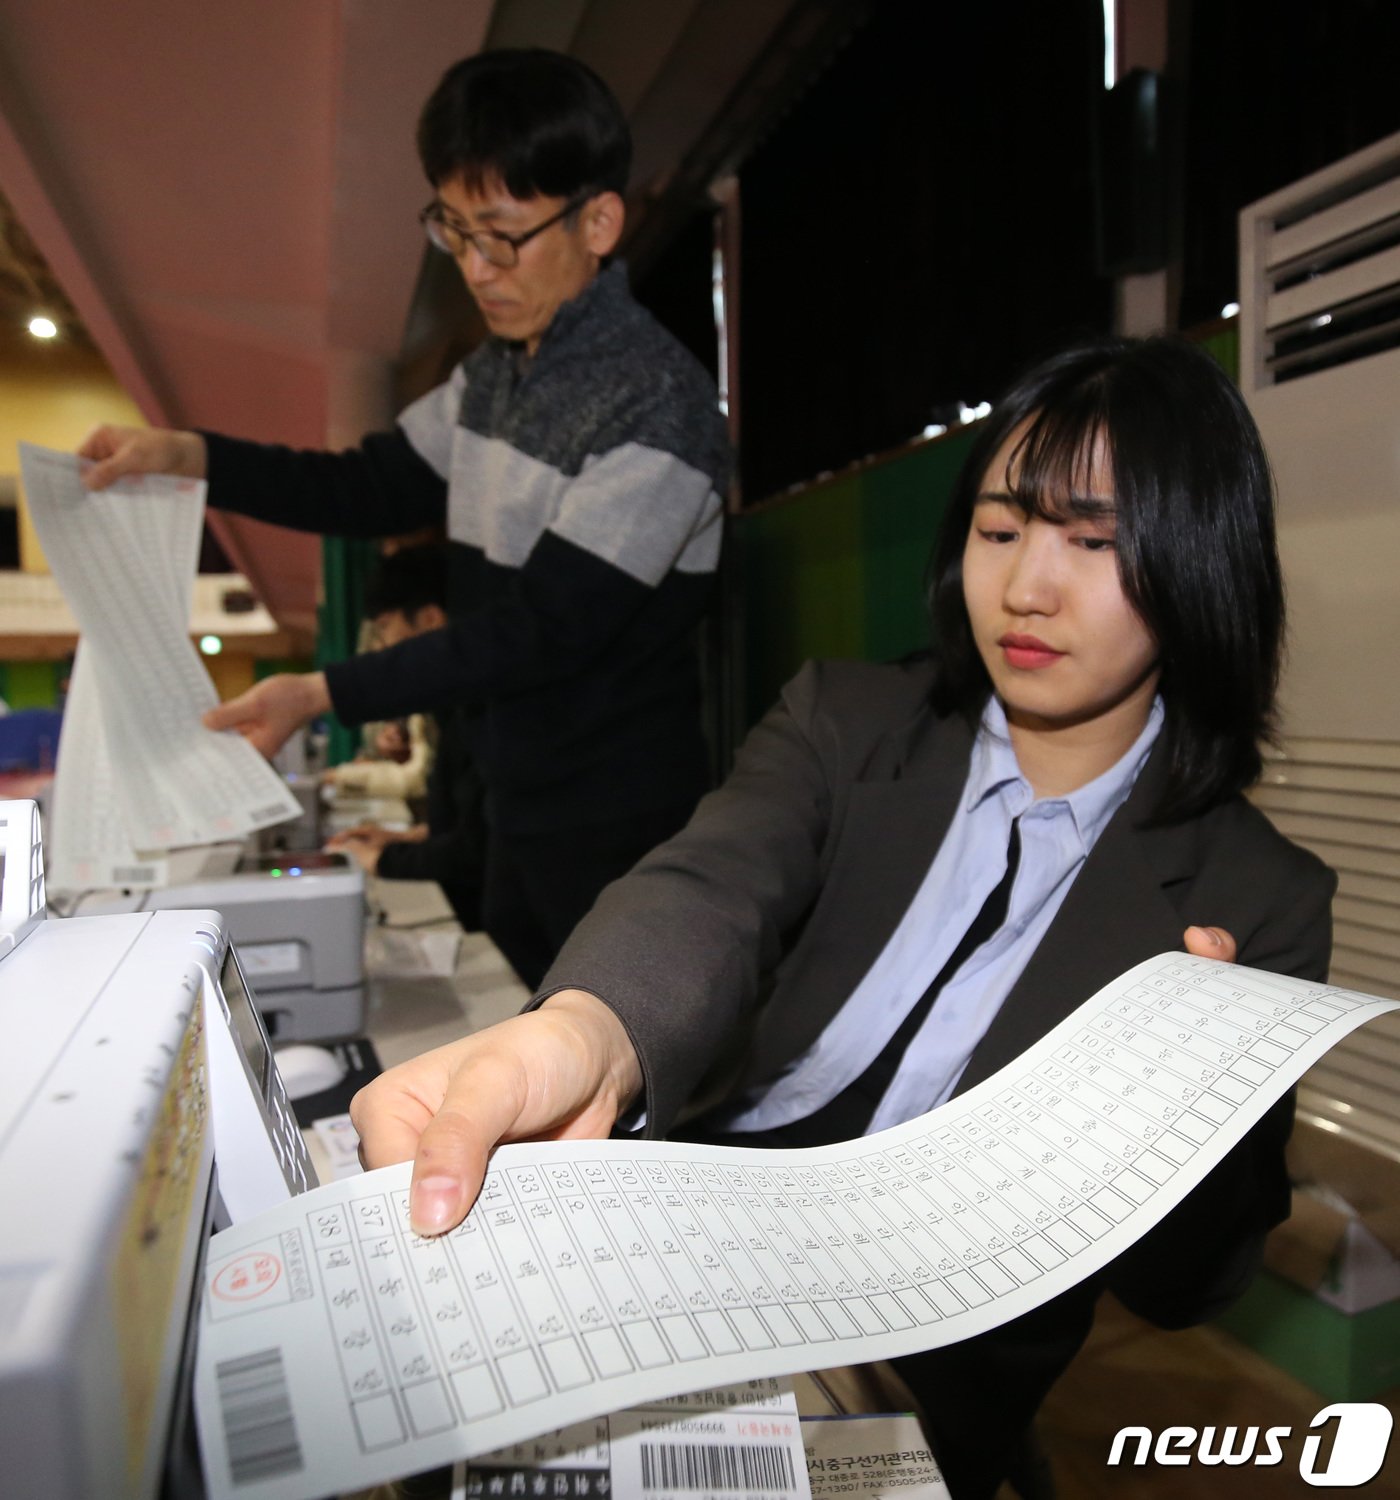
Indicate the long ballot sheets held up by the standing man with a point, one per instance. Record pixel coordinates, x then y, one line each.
139 775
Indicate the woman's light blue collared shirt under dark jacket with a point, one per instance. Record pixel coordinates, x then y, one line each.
1057 835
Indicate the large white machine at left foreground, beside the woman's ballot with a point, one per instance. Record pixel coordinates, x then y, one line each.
140 1108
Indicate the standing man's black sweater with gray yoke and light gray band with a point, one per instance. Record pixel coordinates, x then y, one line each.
583 503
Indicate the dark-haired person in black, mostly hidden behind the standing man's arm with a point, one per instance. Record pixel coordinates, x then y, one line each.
409 598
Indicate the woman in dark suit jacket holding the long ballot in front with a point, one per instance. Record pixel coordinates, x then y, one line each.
1002 830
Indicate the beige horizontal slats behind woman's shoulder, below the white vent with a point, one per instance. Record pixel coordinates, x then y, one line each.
1342 800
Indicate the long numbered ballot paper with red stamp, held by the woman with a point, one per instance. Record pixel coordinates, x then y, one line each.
338 1349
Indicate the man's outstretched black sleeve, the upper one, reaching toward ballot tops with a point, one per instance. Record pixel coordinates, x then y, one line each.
394 482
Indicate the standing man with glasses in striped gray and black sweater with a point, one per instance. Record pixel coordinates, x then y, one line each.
577 458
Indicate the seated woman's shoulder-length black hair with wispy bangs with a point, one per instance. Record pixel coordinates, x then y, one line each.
1197 548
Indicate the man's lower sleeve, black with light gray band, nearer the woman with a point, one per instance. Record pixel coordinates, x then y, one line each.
634 521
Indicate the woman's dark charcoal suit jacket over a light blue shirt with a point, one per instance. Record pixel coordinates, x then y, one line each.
745 935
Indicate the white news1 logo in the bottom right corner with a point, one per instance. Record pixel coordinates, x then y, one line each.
1362 1436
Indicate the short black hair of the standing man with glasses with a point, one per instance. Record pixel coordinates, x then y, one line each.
542 124
